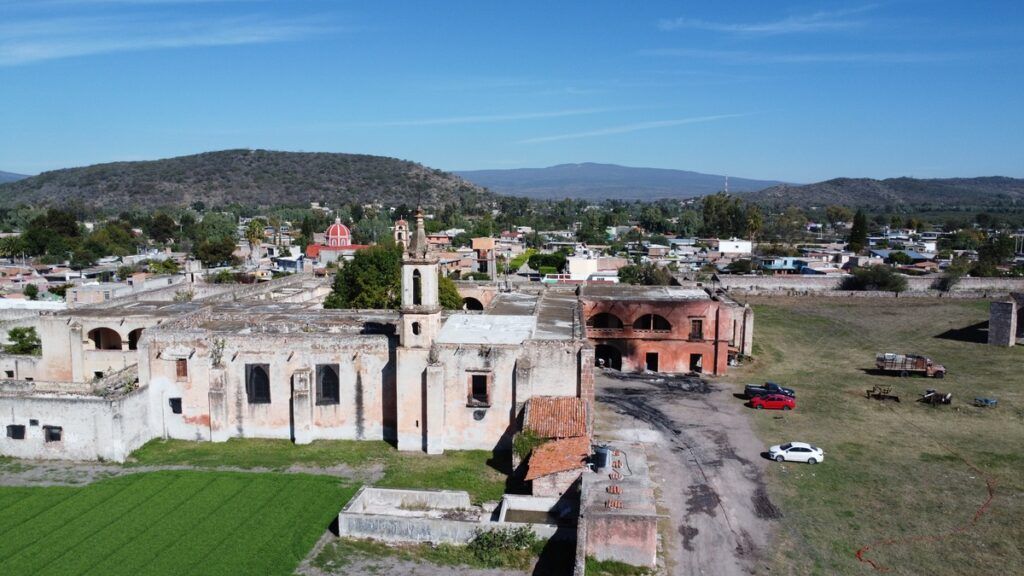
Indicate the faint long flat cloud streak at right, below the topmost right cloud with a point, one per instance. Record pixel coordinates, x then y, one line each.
745 57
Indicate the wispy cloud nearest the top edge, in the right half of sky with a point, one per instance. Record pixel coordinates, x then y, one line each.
818 22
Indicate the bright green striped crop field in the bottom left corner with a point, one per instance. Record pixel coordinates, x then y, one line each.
168 523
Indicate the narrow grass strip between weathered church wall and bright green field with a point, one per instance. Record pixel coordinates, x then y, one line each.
468 470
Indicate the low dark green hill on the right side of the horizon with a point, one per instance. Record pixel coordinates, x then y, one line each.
922 194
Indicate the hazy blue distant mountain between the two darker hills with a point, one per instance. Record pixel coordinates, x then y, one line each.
600 182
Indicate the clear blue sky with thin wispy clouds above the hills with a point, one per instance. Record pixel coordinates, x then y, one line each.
798 92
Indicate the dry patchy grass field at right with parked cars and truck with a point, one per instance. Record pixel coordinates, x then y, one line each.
904 479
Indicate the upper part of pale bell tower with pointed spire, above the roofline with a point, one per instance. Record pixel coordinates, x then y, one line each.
421 311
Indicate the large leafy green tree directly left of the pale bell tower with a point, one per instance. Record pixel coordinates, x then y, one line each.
371 280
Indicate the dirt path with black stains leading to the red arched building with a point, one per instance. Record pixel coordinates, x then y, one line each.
707 463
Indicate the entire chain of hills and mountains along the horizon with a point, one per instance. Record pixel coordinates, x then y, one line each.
260 178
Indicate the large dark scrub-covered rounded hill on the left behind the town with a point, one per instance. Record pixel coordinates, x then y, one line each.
252 178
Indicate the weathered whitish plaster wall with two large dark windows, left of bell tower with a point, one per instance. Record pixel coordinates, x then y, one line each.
216 404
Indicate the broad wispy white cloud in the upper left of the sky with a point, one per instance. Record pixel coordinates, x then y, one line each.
36 40
